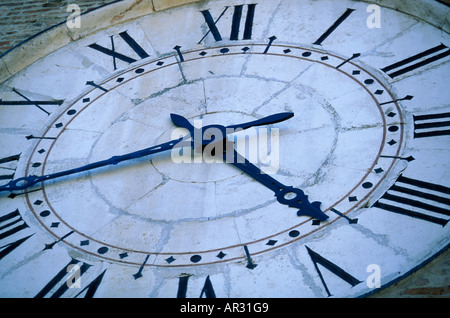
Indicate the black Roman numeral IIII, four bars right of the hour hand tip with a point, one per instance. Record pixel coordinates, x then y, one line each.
408 196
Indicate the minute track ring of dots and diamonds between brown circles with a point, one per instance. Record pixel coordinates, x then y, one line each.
235 251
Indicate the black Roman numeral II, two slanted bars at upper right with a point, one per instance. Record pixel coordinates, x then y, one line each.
421 59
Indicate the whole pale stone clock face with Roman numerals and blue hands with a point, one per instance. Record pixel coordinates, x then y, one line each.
367 146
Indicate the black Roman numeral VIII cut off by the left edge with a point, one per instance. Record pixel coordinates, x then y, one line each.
11 224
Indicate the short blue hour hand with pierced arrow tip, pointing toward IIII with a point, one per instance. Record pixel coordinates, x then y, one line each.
288 195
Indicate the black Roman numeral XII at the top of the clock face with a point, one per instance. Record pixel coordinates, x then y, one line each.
235 24
